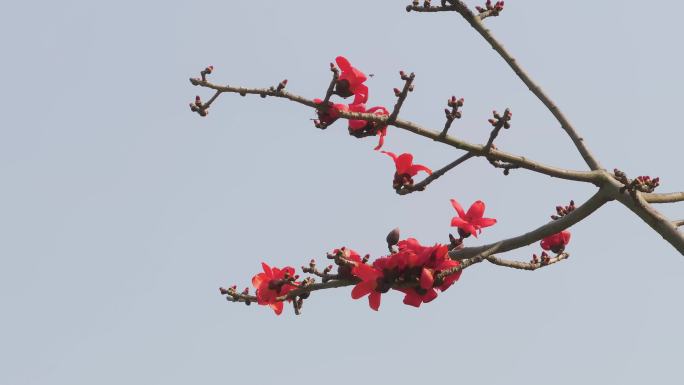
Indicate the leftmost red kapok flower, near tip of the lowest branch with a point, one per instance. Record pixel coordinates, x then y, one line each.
271 284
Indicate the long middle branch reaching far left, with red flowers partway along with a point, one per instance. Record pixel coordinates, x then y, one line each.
476 149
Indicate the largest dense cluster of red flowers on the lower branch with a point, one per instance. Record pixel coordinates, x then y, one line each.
412 270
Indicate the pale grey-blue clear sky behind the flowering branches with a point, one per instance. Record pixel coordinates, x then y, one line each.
121 212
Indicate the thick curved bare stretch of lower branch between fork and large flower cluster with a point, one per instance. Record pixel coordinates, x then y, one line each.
553 227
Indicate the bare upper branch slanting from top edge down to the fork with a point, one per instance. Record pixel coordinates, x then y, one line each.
476 23
